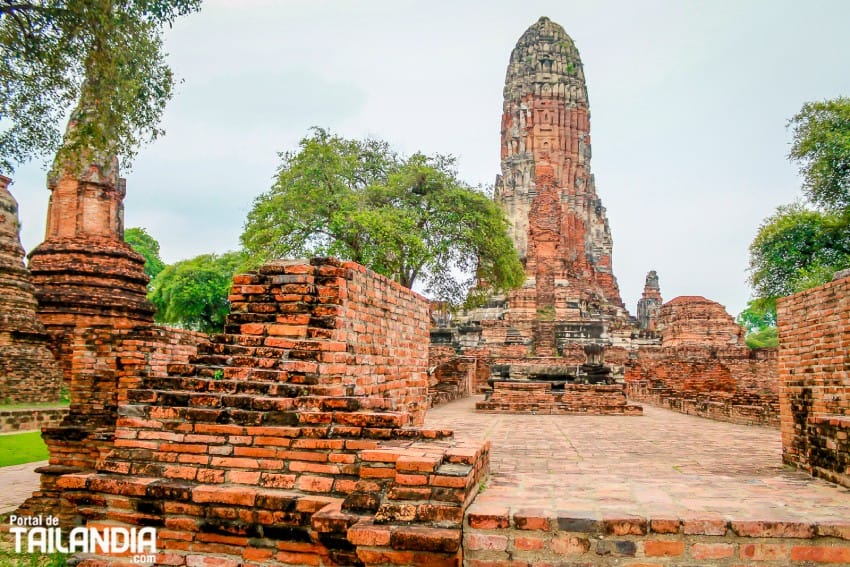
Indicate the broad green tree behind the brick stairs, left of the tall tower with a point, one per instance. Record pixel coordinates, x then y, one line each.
408 218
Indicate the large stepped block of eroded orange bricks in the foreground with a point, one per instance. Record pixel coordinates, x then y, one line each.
287 439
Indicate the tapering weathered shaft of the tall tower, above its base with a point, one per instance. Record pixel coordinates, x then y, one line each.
546 124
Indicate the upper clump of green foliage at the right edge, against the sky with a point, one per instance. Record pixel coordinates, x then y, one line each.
821 146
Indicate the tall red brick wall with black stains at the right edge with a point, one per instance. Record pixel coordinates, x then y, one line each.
814 370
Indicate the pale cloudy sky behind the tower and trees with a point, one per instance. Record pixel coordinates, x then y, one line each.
689 102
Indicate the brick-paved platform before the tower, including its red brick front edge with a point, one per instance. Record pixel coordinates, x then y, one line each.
668 489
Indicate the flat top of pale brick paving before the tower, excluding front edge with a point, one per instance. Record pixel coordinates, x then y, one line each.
656 465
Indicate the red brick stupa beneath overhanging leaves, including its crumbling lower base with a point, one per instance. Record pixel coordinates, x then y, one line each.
90 287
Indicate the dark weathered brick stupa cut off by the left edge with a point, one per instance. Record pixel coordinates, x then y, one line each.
28 371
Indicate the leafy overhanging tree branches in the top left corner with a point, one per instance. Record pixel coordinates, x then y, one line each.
104 55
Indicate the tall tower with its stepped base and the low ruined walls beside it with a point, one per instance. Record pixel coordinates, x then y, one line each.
536 341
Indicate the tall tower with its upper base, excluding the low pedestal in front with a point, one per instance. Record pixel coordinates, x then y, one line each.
557 220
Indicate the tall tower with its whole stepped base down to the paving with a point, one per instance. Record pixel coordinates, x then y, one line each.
569 305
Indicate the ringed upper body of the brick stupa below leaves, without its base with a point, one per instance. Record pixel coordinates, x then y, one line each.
85 274
